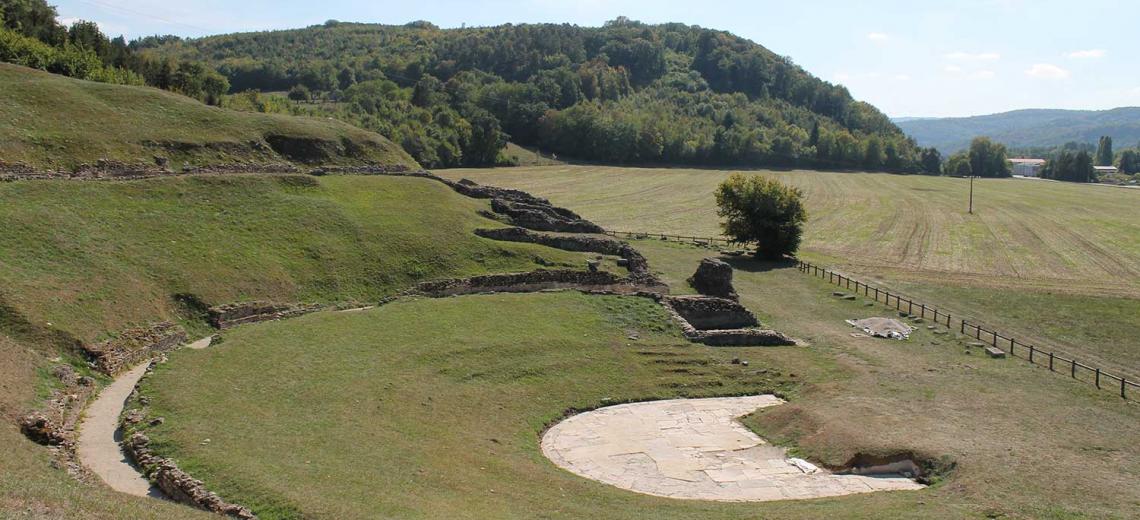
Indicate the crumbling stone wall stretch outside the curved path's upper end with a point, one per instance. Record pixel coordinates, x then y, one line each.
135 346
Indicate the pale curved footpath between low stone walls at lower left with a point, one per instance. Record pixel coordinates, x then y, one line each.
99 446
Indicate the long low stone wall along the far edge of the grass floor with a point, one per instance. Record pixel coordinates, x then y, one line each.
539 281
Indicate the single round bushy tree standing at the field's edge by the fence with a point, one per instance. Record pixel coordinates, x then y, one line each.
762 210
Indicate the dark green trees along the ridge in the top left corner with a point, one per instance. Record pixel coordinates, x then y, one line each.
30 36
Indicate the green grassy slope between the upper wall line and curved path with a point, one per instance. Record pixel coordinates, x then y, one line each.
84 261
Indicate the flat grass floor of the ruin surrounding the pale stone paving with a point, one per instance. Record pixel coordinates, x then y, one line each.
434 409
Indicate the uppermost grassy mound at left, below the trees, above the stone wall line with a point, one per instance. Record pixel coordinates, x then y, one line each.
55 123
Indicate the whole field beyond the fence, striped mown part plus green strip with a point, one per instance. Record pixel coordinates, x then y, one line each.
1054 264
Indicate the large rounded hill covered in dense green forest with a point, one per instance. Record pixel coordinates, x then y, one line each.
625 93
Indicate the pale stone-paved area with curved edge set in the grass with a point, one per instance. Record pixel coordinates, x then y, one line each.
697 450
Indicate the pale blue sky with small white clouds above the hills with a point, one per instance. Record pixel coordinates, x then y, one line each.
910 59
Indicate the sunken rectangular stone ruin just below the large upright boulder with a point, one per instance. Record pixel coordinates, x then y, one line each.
721 323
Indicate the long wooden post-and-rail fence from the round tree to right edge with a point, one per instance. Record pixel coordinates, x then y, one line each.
1035 355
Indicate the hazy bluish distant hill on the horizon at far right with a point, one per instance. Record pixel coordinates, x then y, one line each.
1030 128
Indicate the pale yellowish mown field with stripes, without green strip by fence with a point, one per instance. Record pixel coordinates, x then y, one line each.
1024 233
